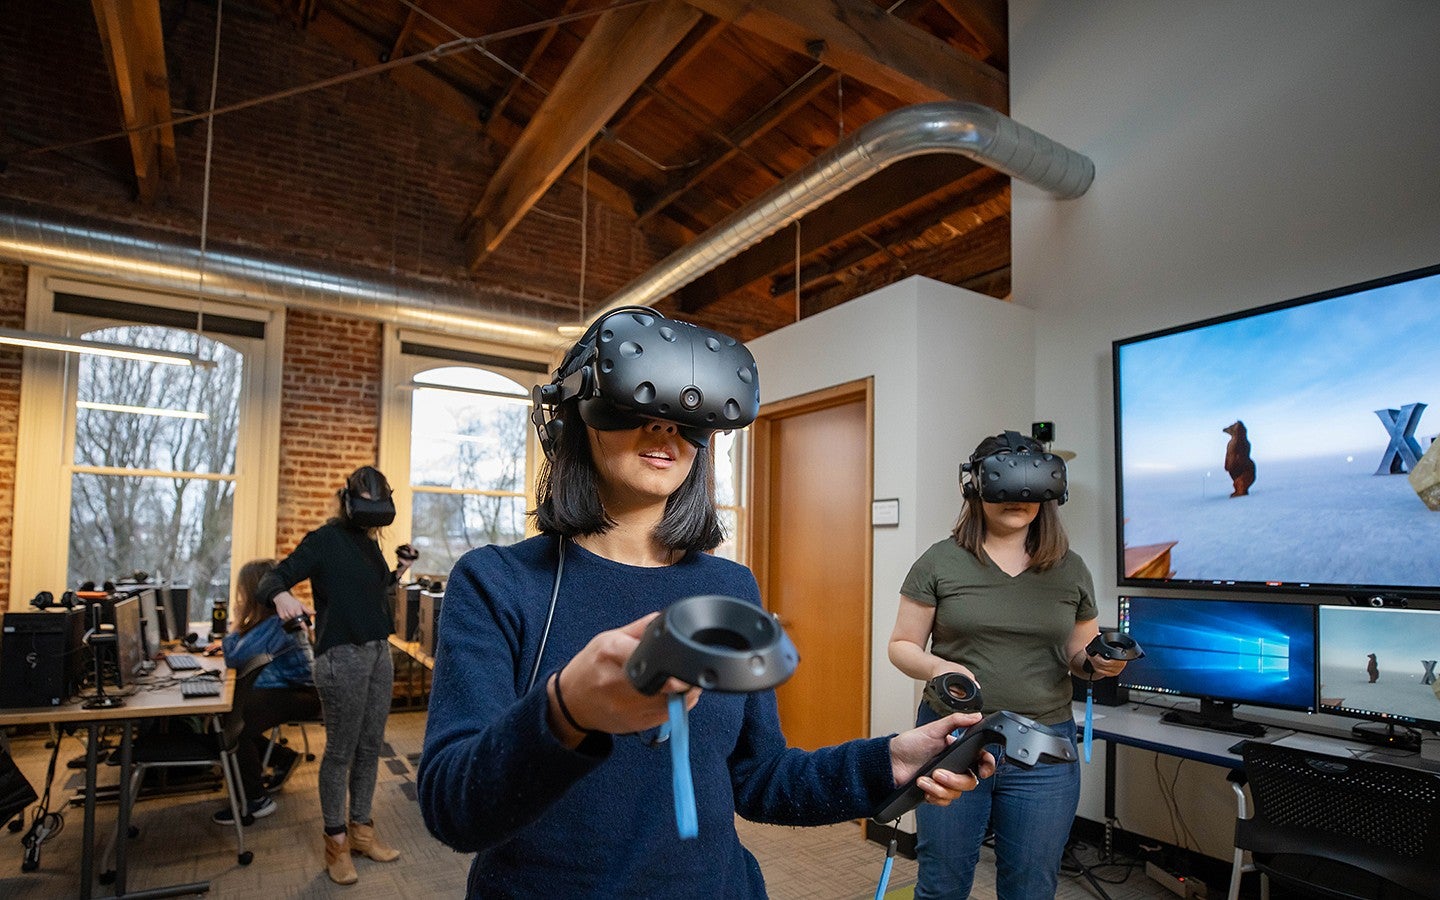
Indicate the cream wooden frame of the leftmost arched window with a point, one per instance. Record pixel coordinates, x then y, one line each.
45 454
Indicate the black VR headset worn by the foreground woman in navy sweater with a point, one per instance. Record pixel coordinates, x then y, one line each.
634 365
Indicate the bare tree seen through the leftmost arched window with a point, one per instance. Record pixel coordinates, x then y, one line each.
153 476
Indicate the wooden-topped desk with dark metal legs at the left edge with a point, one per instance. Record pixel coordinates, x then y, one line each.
142 705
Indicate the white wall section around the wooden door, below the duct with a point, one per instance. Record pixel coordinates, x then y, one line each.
938 391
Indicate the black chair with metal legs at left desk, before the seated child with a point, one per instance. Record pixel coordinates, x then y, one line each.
214 747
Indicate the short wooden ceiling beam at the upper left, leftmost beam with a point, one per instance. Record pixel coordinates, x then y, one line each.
135 48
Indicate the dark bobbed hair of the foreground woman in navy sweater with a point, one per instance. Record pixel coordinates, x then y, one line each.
570 495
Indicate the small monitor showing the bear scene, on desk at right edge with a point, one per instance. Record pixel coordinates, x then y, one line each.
1382 665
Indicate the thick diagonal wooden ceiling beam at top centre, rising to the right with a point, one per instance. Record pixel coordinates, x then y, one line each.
617 57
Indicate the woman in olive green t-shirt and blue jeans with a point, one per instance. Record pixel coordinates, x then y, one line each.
1006 603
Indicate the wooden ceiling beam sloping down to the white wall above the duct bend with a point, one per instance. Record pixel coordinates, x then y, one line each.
868 44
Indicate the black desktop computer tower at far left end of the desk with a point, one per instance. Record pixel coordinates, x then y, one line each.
41 657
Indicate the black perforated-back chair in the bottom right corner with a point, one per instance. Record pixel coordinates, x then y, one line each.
1336 827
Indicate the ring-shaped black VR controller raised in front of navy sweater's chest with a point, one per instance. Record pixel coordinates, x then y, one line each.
715 643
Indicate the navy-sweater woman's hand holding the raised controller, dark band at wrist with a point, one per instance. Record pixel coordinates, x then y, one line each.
601 698
